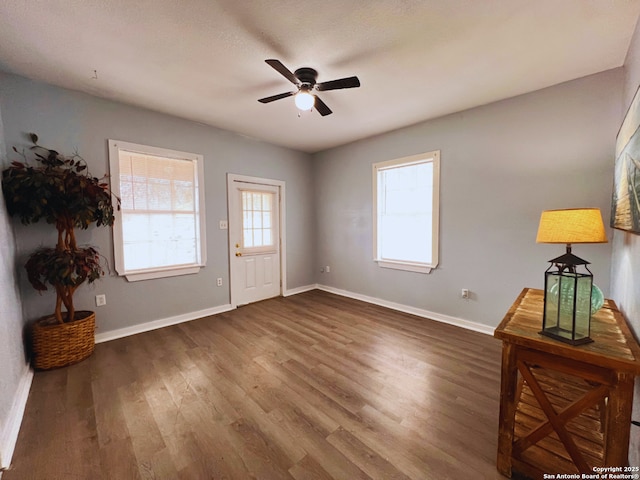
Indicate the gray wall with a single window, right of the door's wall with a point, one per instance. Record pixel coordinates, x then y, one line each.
501 165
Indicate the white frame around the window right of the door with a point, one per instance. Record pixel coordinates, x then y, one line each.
419 267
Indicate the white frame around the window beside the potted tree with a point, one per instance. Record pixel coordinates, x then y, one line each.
115 147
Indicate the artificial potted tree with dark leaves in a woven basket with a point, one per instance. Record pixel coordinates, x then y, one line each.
59 190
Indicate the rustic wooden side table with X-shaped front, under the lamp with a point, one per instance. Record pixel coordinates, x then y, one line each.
564 409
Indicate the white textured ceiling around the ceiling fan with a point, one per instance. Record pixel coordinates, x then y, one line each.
416 59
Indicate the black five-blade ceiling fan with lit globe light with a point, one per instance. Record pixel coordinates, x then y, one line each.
305 79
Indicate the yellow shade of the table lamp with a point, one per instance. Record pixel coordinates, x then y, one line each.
572 225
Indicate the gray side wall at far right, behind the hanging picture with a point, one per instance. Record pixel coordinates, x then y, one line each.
625 259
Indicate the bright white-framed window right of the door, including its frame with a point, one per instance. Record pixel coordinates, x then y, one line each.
405 217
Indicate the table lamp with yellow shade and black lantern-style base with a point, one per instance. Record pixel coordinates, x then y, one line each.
568 283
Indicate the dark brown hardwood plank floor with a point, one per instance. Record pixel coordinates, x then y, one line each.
313 386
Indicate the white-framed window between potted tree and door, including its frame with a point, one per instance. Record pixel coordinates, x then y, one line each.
159 231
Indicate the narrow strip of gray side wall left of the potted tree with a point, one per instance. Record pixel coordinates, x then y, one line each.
12 358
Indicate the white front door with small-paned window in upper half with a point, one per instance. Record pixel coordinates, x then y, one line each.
254 239
